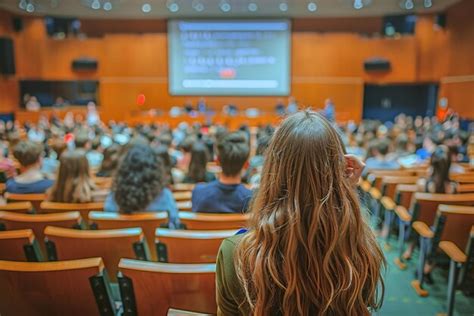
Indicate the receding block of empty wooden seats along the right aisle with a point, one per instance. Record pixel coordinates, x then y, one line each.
441 222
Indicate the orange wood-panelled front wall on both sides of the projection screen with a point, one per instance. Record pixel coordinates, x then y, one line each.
323 64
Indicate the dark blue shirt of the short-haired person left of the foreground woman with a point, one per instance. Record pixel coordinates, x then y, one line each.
216 197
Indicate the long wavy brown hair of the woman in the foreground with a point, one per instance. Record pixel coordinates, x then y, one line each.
309 250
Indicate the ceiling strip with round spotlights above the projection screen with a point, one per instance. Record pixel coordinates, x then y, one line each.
140 9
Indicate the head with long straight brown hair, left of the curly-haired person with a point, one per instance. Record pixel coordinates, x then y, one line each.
73 184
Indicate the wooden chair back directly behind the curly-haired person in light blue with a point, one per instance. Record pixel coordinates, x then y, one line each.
148 222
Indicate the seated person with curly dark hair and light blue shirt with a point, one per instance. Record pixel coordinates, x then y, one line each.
139 186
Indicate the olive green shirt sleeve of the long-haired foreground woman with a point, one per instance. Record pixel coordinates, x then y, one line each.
230 294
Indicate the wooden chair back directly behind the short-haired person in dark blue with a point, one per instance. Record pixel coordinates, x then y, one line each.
207 221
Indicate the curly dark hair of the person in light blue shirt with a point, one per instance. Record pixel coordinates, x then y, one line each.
139 179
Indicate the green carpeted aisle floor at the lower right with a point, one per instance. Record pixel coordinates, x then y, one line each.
401 298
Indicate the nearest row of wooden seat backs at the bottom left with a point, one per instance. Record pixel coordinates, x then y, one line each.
81 287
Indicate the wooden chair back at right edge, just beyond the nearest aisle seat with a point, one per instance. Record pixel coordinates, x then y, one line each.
426 204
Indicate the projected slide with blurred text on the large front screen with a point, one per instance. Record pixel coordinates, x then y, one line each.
231 57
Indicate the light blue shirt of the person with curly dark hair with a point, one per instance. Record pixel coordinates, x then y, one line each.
162 203
